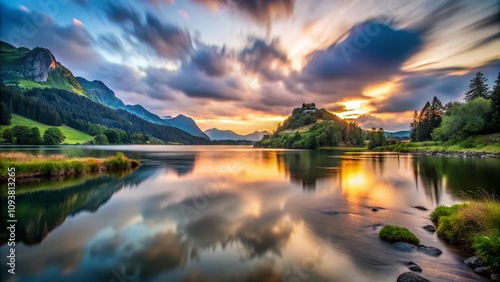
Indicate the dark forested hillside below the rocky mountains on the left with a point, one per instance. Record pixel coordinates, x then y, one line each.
58 107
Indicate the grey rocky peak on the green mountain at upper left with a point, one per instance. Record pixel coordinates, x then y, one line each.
38 64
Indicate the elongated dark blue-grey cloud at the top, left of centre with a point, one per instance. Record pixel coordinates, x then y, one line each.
167 40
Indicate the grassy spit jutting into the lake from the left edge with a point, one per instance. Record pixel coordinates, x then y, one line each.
29 166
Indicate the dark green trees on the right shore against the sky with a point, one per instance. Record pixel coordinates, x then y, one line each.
456 121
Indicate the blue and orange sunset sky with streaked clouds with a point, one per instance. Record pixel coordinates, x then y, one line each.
244 65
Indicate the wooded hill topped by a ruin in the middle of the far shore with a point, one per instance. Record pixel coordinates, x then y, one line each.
310 128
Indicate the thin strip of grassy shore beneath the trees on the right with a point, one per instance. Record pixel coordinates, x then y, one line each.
484 143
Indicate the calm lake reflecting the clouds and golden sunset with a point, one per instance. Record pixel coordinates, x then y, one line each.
231 213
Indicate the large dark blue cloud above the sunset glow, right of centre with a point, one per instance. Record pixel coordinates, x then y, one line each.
371 51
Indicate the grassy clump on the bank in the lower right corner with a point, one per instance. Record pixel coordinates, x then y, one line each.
473 227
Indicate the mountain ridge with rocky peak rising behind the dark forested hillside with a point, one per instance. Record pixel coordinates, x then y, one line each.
38 68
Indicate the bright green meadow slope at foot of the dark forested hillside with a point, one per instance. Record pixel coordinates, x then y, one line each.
73 136
